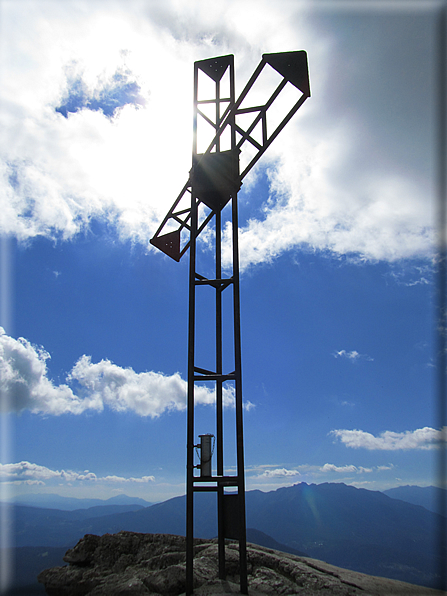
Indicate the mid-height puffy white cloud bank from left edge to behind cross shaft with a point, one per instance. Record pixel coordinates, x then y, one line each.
24 384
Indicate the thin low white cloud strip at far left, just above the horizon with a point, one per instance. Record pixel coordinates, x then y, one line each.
25 472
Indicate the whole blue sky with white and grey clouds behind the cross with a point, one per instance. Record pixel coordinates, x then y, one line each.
337 243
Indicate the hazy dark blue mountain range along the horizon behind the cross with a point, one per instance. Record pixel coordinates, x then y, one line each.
358 529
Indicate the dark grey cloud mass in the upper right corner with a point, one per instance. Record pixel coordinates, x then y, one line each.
381 76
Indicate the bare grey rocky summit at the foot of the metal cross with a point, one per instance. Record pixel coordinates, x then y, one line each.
134 564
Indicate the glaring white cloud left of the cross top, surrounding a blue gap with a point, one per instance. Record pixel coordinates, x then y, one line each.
57 173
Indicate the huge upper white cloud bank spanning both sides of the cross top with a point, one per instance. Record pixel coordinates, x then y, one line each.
330 186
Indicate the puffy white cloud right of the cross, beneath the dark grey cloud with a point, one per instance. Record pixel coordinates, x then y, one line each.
373 225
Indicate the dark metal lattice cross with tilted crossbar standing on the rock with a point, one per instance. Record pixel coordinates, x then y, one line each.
229 137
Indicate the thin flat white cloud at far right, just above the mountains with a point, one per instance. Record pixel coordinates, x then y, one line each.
421 438
